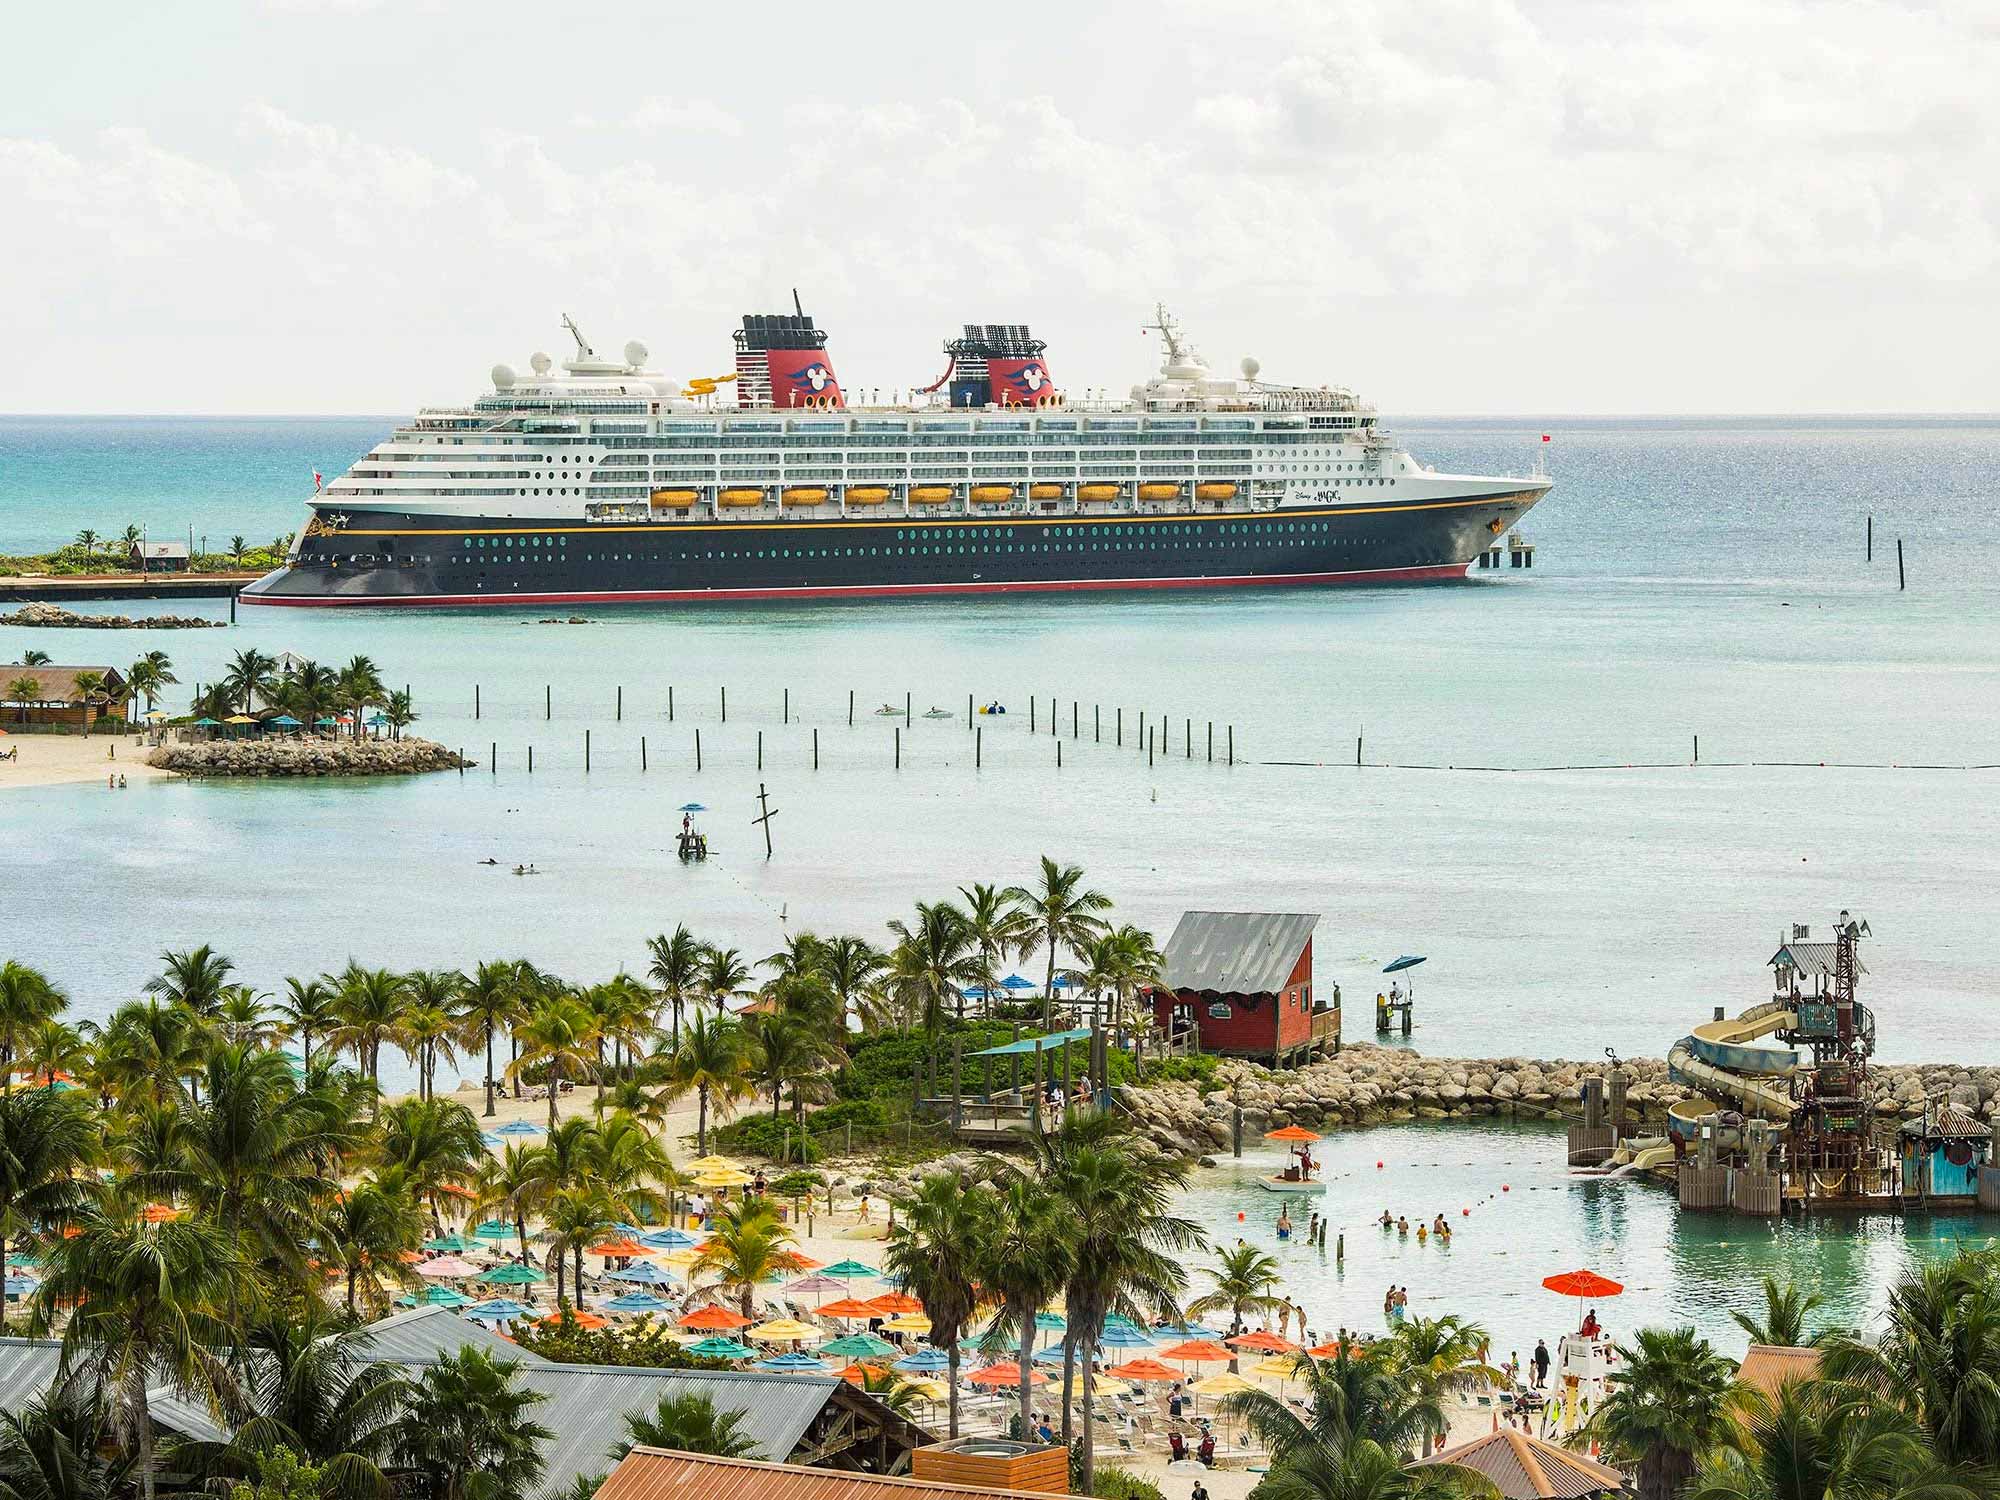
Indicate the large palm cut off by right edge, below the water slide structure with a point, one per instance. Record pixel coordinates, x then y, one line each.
1937 1357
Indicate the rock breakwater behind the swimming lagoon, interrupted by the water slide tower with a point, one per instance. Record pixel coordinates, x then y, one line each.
1373 1085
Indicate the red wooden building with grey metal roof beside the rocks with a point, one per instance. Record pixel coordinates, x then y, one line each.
1243 981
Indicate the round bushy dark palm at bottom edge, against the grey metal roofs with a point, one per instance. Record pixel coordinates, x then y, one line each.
469 1433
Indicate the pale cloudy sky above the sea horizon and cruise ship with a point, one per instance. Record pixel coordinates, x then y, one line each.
1449 205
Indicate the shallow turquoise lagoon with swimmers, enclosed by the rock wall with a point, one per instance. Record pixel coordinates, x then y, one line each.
1529 1221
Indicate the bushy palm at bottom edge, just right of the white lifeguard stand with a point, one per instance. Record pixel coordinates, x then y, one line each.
1669 1407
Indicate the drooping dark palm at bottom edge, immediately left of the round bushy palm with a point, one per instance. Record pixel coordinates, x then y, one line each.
315 1393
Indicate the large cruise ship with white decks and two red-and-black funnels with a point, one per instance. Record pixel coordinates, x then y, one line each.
605 481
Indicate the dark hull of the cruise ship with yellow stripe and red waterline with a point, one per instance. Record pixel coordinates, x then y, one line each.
387 557
